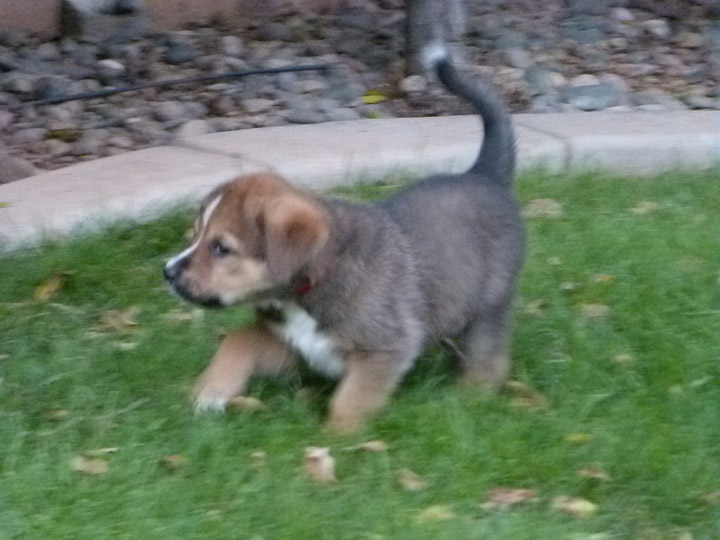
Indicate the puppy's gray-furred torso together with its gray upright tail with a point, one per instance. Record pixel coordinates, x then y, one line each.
434 259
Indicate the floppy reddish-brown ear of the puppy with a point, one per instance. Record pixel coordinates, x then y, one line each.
295 231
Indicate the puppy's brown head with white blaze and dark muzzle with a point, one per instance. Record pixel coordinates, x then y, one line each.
251 236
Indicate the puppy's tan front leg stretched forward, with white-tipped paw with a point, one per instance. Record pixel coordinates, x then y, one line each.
242 354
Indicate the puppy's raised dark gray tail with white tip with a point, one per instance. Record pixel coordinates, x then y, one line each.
496 160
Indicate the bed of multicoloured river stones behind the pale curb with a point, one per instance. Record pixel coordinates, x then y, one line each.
543 55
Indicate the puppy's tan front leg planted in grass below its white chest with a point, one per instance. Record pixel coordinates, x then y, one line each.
364 389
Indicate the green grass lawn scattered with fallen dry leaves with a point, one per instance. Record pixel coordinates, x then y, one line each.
653 424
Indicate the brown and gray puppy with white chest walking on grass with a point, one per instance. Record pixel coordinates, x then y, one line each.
358 290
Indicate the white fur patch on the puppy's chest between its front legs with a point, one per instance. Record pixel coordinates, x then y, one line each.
300 331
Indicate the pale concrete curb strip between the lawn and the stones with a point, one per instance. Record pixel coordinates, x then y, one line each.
141 184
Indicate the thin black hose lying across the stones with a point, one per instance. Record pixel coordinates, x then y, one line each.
171 82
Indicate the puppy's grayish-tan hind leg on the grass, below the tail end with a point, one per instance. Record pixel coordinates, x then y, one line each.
484 345
